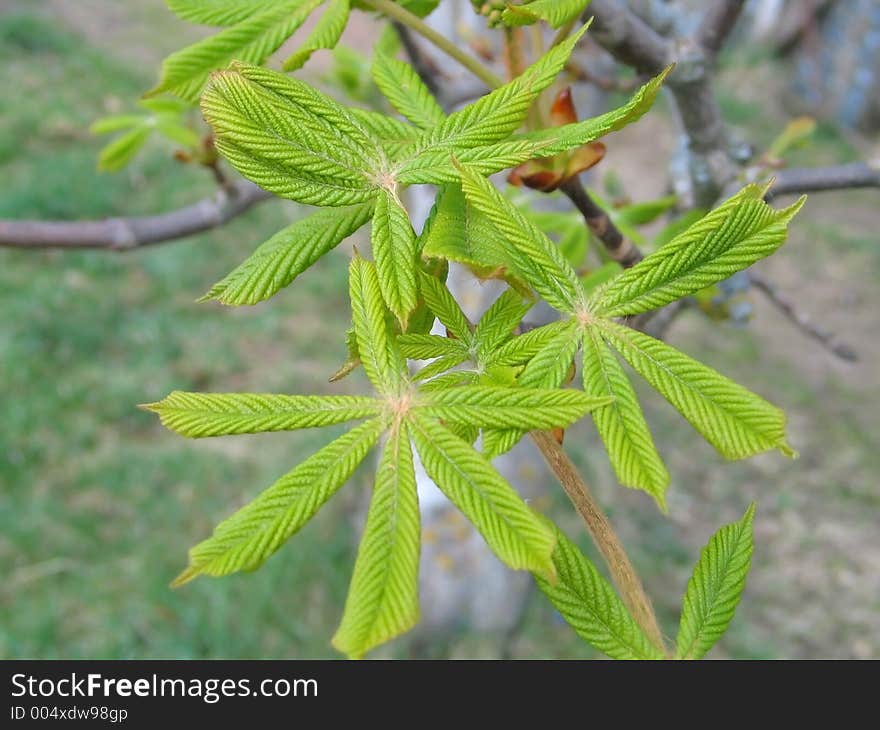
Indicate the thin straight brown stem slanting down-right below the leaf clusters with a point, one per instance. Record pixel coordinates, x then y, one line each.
622 572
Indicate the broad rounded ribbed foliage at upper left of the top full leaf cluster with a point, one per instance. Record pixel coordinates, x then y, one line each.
290 138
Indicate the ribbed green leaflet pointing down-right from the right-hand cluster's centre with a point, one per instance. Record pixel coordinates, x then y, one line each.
734 420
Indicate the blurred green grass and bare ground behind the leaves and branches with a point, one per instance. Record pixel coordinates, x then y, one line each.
98 504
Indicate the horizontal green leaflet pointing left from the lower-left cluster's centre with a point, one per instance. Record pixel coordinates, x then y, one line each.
198 415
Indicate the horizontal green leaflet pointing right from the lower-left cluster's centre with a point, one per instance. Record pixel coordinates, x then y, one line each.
520 408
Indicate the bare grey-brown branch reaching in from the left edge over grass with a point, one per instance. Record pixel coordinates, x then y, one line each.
124 234
